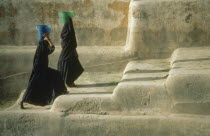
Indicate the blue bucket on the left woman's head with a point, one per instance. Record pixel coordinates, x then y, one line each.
41 29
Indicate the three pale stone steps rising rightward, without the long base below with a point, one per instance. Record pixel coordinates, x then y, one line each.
179 84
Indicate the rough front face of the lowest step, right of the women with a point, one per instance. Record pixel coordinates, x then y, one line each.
83 103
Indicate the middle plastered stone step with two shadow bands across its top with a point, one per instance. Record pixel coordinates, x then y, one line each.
142 87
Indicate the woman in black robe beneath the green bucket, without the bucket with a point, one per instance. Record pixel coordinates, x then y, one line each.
68 64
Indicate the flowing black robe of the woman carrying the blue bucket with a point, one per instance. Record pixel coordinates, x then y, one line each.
45 83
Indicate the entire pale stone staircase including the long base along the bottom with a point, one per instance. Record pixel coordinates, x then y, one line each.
158 97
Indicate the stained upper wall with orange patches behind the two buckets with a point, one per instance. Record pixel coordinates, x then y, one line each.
98 23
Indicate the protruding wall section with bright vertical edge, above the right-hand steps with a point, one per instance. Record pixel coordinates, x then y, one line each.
157 27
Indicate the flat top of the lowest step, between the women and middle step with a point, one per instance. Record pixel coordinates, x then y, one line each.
96 82
